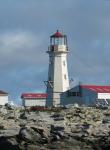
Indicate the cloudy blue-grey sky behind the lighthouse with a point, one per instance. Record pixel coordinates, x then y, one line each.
25 27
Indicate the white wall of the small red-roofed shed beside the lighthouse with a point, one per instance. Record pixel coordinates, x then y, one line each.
33 102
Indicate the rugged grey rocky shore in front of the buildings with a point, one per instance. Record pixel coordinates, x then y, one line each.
75 128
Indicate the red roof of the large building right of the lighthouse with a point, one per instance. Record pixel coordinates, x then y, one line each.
97 88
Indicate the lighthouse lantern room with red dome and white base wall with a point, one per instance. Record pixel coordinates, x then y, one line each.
58 42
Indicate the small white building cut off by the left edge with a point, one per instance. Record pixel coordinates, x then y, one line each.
3 98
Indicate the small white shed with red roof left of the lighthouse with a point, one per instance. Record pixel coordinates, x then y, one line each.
33 99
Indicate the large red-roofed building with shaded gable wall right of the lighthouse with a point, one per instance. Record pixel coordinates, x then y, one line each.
86 95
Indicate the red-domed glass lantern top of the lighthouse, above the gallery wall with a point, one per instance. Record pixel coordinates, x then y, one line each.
58 39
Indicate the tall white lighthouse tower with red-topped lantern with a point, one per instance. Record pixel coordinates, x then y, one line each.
58 80
